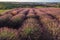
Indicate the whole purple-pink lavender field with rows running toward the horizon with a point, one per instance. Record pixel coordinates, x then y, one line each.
30 24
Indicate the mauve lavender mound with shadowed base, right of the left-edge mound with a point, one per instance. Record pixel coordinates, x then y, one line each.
15 21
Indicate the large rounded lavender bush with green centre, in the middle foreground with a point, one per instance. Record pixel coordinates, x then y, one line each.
30 30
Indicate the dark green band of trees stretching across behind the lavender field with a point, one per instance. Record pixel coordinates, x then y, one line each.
8 5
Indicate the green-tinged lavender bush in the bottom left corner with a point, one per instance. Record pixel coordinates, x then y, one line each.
7 34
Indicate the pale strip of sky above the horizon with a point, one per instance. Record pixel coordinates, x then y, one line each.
29 0
